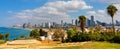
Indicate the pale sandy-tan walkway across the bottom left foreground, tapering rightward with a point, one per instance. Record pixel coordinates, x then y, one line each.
34 44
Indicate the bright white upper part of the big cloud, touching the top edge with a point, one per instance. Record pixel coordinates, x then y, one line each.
69 6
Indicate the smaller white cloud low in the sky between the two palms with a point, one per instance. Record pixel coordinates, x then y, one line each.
100 15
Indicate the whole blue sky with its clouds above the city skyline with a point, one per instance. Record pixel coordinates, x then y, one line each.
14 12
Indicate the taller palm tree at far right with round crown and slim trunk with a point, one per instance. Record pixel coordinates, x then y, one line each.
111 10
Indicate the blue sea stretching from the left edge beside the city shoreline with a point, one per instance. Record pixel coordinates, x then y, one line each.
15 32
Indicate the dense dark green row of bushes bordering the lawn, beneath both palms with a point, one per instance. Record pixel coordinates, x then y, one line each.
76 36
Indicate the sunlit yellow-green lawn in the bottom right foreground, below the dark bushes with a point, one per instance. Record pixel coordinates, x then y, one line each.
95 45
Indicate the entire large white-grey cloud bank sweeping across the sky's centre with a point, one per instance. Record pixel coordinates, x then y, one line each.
52 11
